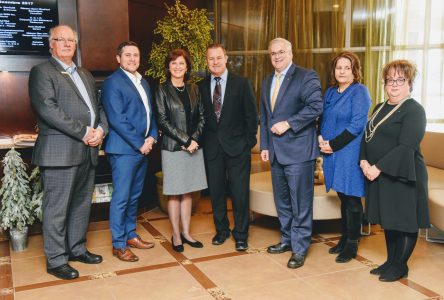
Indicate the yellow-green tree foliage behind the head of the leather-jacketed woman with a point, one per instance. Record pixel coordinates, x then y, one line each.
181 28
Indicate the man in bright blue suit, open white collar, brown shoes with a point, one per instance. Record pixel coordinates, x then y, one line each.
126 98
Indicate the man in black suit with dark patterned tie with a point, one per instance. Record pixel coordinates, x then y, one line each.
229 135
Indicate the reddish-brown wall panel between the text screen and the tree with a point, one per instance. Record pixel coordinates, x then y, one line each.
103 25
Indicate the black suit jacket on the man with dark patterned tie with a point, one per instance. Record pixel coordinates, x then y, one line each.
236 130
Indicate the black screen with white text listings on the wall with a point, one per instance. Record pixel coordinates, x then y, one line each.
24 26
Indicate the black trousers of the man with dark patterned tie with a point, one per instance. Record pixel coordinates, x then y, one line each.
231 173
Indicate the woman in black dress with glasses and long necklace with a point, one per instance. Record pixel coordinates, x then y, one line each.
391 159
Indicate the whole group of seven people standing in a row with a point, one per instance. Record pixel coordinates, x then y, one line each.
210 129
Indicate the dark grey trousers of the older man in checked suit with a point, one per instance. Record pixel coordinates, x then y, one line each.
67 196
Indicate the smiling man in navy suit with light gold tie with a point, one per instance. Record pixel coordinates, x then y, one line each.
291 101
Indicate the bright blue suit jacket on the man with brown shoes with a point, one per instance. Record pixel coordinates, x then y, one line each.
126 114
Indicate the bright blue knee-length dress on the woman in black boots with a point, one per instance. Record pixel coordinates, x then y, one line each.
345 111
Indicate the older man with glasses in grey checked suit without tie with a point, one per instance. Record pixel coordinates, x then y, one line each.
71 126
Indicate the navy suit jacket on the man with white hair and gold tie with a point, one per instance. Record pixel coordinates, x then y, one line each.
299 102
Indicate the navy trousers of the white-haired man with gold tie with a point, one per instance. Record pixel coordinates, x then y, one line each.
293 190
